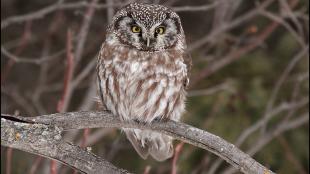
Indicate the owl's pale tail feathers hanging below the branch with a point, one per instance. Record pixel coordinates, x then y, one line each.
146 142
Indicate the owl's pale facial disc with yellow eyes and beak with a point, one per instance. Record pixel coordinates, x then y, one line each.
148 34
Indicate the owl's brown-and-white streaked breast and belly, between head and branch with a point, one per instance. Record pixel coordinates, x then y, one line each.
143 85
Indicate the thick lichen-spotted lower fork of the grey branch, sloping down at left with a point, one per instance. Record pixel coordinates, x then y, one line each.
45 140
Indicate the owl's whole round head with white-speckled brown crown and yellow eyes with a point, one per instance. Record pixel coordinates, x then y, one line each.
147 27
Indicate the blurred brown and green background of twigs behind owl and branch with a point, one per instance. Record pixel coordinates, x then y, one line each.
249 83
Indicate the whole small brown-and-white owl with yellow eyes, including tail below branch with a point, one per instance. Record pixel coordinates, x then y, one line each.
143 72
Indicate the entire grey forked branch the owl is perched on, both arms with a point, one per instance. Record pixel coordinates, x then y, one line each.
55 123
